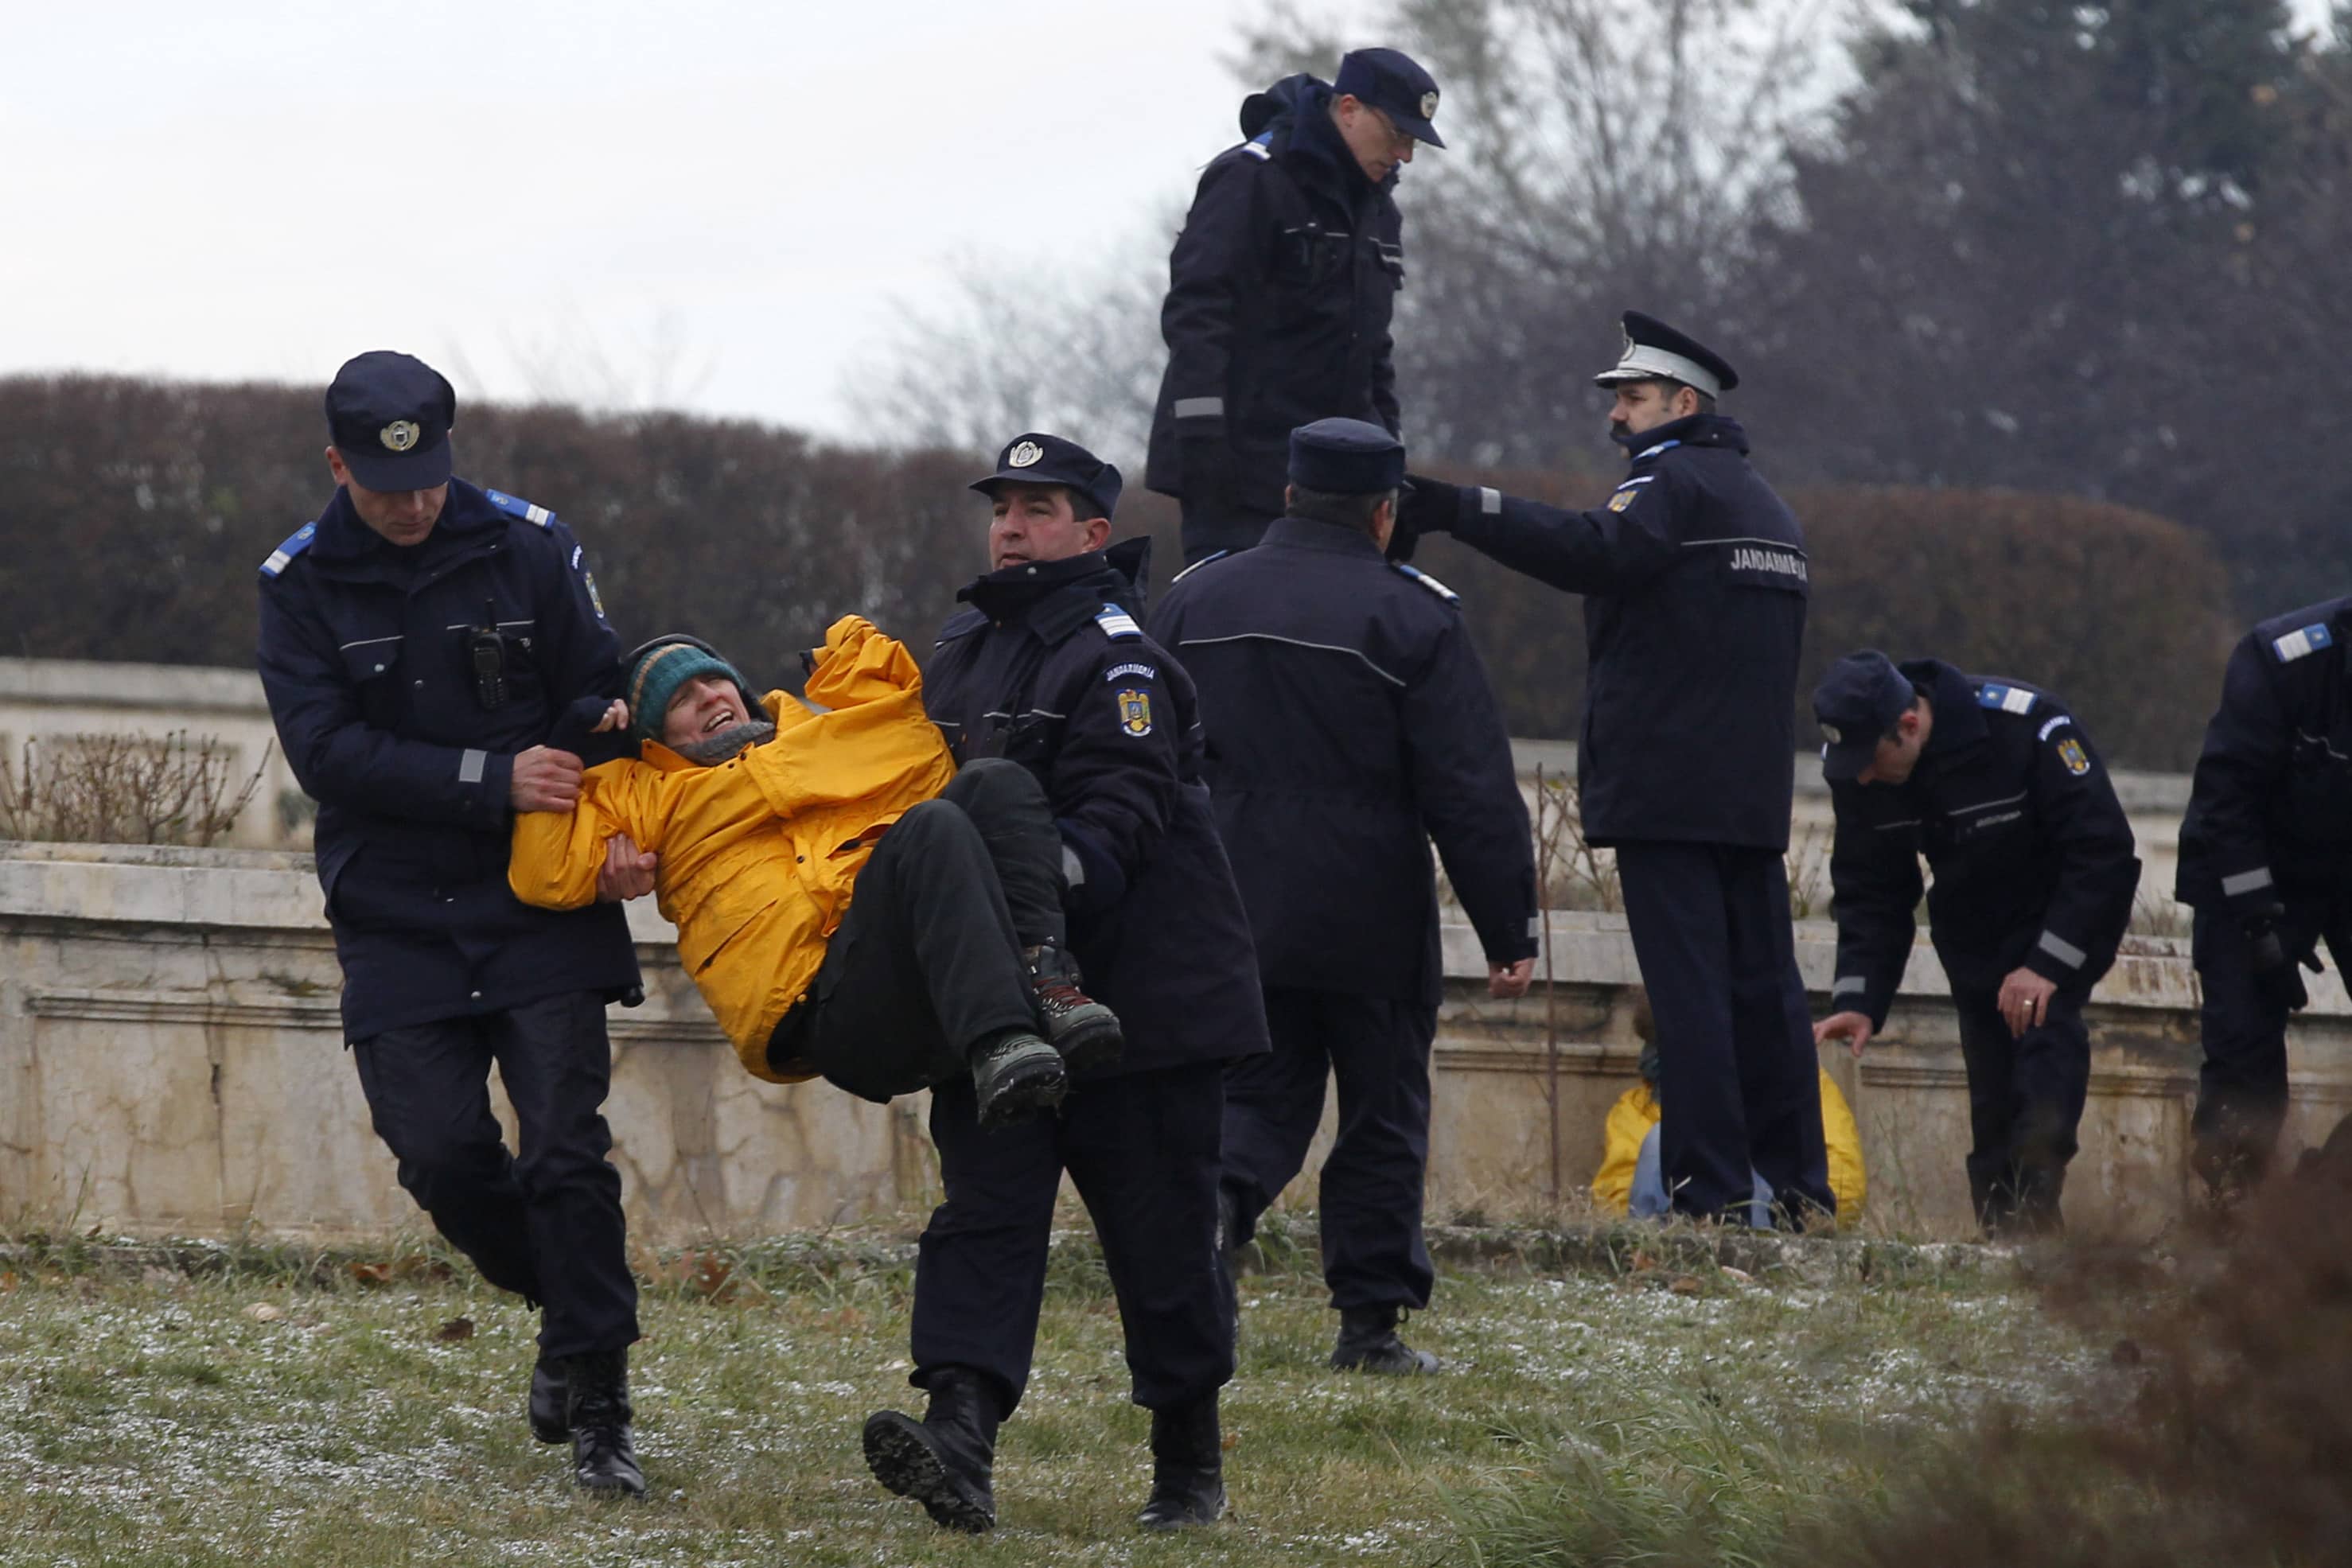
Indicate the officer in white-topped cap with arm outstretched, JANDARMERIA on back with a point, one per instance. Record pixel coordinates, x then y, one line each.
1695 582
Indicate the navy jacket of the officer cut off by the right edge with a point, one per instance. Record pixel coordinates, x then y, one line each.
2271 808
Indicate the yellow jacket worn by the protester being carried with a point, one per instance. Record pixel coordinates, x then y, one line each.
756 855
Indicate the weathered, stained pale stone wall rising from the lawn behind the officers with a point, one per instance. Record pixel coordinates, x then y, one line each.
171 1064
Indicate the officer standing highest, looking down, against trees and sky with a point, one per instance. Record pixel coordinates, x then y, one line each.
1281 290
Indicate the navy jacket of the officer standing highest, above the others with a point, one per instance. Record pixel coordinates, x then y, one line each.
1281 297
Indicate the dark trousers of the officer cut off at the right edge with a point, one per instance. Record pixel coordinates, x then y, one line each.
2243 1087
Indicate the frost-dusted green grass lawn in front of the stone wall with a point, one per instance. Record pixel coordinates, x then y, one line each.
335 1412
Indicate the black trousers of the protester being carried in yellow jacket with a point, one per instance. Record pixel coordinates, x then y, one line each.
928 960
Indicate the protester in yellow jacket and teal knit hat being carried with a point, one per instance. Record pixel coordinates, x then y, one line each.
846 902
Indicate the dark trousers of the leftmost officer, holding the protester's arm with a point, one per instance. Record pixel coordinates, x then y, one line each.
544 1224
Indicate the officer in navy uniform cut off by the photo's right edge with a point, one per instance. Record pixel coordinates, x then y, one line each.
2266 862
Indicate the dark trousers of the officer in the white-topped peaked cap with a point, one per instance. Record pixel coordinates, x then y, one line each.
1739 1083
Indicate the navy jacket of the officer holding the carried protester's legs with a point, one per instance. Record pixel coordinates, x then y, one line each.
1050 669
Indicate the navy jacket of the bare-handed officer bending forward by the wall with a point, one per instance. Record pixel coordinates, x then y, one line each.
2019 822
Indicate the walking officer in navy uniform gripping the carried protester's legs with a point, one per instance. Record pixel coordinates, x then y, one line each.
1050 669
